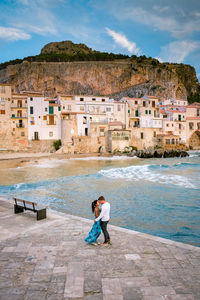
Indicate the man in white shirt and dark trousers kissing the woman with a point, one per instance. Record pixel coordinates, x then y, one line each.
104 217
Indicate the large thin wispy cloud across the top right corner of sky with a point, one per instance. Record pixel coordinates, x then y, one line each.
168 16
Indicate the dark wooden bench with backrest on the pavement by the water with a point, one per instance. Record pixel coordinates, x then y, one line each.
21 205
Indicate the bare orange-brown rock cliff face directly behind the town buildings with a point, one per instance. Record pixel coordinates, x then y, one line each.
119 78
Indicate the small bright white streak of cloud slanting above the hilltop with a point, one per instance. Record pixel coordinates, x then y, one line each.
122 40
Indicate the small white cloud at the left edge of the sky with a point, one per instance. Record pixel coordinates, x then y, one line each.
13 34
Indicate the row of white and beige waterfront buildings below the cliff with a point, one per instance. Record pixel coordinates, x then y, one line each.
30 121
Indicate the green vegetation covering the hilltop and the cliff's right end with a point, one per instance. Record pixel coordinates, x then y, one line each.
67 51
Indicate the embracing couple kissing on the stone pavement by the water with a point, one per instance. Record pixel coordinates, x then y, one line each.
101 209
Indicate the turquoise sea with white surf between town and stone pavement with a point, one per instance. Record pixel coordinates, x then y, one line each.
156 196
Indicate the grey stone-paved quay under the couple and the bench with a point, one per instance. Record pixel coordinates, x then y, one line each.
49 259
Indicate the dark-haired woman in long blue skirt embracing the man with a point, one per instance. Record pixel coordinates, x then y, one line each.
96 228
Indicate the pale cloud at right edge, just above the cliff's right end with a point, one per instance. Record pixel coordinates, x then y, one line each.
177 51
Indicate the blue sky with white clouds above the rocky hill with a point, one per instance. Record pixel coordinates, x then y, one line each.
168 30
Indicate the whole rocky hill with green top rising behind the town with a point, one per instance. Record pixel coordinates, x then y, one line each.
69 68
